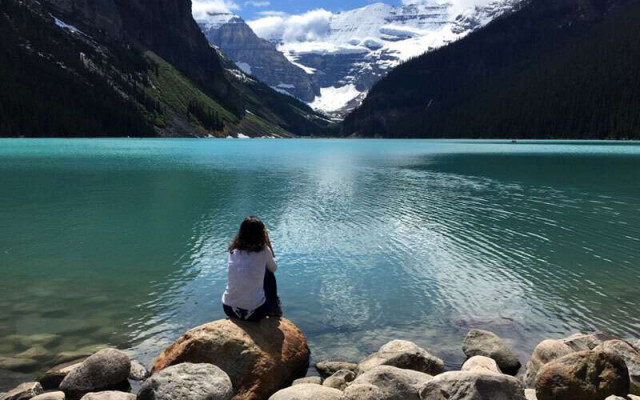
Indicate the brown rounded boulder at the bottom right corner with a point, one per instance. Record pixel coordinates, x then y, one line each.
585 375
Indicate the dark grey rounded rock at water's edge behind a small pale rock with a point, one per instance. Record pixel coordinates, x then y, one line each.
488 344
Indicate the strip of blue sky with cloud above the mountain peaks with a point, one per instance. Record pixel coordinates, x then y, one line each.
253 9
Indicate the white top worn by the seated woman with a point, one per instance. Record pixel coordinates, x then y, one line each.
245 278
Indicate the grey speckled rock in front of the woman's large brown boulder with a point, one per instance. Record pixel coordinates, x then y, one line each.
187 381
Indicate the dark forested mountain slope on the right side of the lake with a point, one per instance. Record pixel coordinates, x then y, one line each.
553 69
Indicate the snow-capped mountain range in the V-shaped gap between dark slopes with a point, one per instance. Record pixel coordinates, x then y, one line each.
345 54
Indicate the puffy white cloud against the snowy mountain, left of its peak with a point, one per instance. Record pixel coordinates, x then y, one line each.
310 26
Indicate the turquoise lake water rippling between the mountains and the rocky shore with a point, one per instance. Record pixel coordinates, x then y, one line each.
122 242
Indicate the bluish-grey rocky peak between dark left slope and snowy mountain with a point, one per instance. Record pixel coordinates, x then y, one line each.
256 56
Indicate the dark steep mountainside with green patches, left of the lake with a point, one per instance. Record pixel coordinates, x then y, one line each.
129 68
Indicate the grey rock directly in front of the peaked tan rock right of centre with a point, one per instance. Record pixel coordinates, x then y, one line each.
394 383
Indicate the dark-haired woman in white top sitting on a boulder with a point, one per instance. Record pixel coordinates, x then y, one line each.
251 292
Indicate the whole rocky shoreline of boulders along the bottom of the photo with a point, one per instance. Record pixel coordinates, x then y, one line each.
231 360
